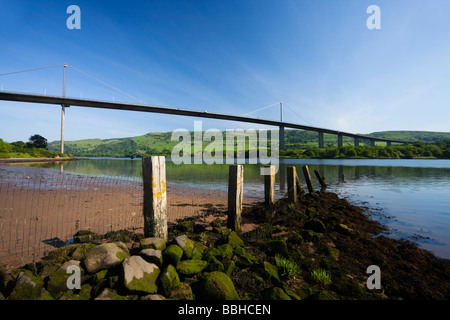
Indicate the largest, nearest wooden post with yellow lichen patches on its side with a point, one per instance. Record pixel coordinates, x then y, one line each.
155 197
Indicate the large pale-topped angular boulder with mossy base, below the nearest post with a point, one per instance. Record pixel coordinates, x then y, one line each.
139 276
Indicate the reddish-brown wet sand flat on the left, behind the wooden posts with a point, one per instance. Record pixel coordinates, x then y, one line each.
41 209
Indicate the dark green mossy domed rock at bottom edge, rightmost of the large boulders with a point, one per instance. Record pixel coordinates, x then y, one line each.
217 286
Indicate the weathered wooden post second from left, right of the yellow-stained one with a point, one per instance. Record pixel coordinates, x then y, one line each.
235 196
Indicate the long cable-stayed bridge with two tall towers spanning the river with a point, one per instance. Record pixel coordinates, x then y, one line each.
64 102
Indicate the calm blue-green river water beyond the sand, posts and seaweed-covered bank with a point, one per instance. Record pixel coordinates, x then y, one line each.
411 197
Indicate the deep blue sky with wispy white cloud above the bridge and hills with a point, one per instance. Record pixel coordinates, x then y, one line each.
233 56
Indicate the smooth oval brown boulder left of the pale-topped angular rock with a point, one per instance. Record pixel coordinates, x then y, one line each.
105 256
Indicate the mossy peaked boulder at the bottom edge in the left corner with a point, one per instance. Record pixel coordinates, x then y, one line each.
29 287
